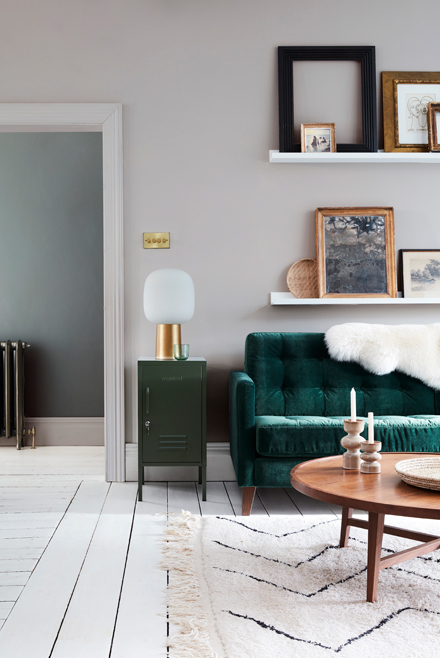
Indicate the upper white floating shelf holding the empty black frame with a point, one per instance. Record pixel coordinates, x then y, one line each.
376 158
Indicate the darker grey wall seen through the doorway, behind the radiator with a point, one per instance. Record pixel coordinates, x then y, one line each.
51 282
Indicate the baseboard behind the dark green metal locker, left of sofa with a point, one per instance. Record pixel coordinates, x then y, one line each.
219 466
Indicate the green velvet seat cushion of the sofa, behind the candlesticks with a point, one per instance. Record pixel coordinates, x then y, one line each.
313 436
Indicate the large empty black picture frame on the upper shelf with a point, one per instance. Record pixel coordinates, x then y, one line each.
366 55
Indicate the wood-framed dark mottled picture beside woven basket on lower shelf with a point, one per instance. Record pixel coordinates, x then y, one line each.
355 252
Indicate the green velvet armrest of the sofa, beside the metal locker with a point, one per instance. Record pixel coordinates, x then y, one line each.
242 426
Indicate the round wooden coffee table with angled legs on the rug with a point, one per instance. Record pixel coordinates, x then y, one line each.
377 494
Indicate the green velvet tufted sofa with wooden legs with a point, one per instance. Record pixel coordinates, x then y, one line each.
290 402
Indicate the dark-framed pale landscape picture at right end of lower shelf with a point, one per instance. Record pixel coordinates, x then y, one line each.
420 272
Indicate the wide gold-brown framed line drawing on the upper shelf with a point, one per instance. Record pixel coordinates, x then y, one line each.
406 96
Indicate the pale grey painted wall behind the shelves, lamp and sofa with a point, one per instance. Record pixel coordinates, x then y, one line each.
198 82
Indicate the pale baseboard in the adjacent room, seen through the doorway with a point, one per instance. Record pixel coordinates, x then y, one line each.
64 432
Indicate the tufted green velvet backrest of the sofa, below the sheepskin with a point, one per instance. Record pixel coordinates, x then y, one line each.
295 376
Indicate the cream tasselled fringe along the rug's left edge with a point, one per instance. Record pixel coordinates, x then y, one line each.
184 595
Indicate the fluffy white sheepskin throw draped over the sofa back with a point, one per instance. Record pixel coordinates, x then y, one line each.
410 348
